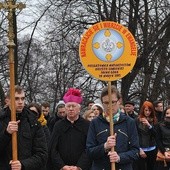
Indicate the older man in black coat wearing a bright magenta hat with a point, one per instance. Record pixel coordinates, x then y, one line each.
68 141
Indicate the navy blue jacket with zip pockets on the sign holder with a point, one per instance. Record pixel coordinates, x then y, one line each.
127 143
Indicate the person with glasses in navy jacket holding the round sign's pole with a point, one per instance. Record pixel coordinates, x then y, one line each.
125 139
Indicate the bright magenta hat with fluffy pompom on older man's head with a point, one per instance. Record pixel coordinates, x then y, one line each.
73 95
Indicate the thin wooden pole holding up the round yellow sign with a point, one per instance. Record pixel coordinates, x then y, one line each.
111 119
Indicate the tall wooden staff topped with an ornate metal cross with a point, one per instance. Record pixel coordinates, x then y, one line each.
10 6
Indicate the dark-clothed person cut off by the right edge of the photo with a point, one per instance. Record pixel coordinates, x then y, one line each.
163 139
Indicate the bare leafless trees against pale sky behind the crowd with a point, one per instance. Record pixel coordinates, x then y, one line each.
49 60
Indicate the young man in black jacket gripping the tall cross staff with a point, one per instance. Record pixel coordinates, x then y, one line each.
32 146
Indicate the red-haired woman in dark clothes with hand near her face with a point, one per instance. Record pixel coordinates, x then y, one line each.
146 121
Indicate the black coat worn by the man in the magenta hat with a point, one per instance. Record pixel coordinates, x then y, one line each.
68 143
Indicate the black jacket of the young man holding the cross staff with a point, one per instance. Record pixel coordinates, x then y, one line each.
32 146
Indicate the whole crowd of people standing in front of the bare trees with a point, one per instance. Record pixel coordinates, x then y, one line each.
72 140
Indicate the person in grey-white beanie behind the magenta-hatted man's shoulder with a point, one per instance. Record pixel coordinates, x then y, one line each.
60 113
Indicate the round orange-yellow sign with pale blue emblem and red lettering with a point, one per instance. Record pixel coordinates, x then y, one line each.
108 51
